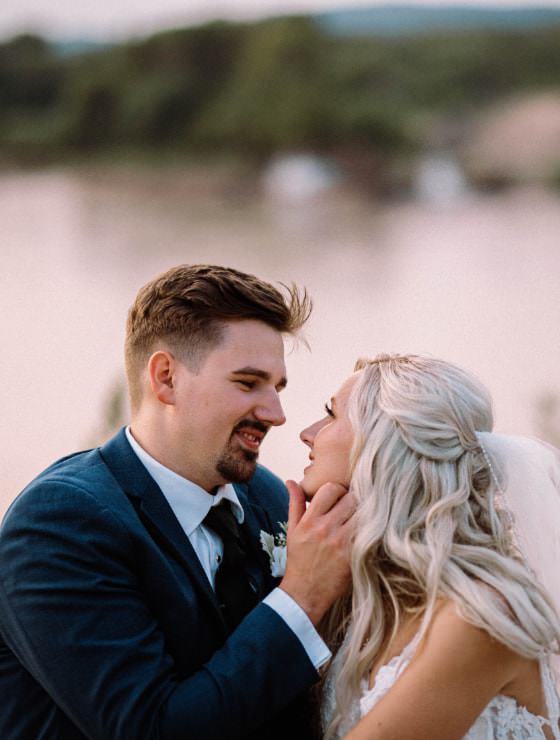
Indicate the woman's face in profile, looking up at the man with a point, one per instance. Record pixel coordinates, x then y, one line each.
330 441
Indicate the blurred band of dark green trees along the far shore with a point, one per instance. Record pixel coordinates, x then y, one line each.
252 89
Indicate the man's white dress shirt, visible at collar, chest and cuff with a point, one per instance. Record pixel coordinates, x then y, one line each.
191 504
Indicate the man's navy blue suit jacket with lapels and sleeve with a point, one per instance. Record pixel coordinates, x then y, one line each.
109 628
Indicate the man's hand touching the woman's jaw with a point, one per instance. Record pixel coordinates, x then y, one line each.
317 569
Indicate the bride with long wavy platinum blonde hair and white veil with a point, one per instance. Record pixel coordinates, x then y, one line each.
449 633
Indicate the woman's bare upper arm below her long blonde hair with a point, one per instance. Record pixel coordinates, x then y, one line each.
455 672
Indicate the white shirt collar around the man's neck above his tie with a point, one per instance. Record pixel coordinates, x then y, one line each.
190 503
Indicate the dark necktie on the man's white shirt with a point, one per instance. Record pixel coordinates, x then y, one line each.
234 592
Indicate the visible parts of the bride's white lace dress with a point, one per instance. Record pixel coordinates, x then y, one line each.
502 718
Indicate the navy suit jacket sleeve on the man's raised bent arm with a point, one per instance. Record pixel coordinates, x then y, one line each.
65 558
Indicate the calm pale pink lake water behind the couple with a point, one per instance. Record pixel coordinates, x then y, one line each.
472 279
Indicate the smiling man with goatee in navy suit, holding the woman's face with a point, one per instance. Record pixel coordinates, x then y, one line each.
135 598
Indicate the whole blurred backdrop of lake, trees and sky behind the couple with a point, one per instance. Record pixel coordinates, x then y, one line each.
402 162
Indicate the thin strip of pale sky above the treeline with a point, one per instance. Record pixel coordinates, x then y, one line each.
107 19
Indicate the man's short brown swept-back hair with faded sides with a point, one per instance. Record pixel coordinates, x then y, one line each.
185 309
